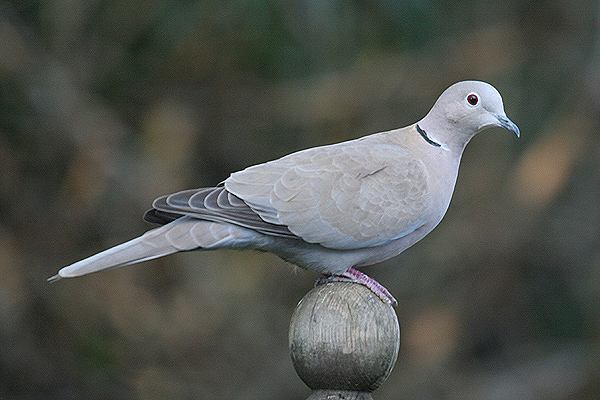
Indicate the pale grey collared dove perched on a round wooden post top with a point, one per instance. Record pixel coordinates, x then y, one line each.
327 209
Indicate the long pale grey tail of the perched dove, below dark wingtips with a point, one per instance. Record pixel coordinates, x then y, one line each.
180 235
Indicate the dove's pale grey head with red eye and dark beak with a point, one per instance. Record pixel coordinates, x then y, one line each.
463 110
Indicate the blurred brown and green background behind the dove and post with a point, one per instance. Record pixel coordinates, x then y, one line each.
105 105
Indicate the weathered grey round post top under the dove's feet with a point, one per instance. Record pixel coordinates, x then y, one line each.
344 341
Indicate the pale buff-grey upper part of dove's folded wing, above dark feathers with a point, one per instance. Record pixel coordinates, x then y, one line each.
351 195
